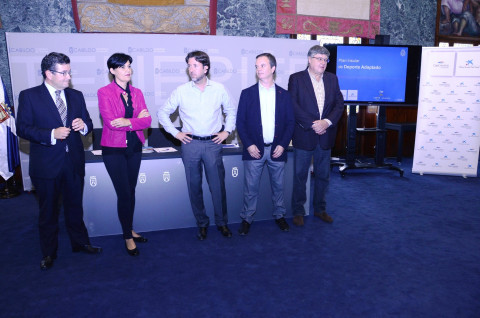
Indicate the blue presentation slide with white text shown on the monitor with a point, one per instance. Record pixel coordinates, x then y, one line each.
376 74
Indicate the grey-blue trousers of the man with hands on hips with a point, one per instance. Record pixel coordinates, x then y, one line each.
196 156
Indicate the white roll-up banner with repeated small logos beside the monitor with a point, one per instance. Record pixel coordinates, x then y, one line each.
447 139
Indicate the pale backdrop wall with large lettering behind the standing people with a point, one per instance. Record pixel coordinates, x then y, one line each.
158 65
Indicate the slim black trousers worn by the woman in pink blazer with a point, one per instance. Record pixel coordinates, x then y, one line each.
123 168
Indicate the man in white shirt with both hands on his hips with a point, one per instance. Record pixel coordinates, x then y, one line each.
200 104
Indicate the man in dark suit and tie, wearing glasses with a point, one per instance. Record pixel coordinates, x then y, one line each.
52 116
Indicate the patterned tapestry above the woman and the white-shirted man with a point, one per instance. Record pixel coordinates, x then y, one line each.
142 16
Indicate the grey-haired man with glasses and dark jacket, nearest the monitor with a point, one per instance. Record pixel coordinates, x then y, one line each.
318 106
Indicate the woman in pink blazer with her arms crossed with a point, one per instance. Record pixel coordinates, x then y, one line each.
124 116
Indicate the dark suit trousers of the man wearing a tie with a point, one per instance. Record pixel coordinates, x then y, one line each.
68 185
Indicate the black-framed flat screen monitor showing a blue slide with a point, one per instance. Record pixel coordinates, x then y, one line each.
377 75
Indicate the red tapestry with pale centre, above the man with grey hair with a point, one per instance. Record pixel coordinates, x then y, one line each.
359 18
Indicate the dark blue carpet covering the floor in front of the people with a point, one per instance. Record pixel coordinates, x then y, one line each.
399 247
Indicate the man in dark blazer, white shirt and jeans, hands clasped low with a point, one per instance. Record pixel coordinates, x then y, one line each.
265 124
